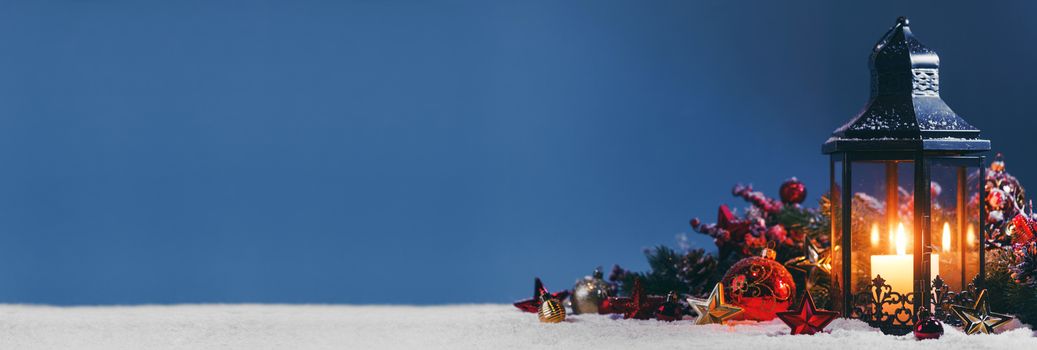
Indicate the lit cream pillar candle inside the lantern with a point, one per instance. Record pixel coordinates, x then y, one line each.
899 270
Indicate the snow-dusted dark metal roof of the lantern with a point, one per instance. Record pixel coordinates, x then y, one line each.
906 112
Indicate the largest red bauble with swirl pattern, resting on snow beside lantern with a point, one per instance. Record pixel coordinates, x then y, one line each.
761 286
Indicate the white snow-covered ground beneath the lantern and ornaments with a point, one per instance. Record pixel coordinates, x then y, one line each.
485 327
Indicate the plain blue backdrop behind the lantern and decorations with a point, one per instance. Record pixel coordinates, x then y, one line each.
425 153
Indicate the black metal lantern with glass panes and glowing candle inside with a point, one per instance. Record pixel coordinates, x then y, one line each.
907 192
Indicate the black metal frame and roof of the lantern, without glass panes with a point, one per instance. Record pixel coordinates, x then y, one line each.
906 121
